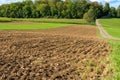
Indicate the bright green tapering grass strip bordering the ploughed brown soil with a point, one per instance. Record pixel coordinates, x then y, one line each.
29 26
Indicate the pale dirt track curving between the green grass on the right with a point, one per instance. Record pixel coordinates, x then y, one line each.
104 33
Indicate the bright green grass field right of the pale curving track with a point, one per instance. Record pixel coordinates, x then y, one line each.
112 26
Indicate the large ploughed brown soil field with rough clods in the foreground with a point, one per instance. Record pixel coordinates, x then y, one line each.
69 53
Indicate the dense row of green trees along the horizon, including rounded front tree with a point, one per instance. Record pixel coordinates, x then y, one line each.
72 9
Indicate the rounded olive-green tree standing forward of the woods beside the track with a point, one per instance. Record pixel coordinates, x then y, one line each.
90 16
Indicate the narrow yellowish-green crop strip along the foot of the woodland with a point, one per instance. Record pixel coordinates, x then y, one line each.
46 20
